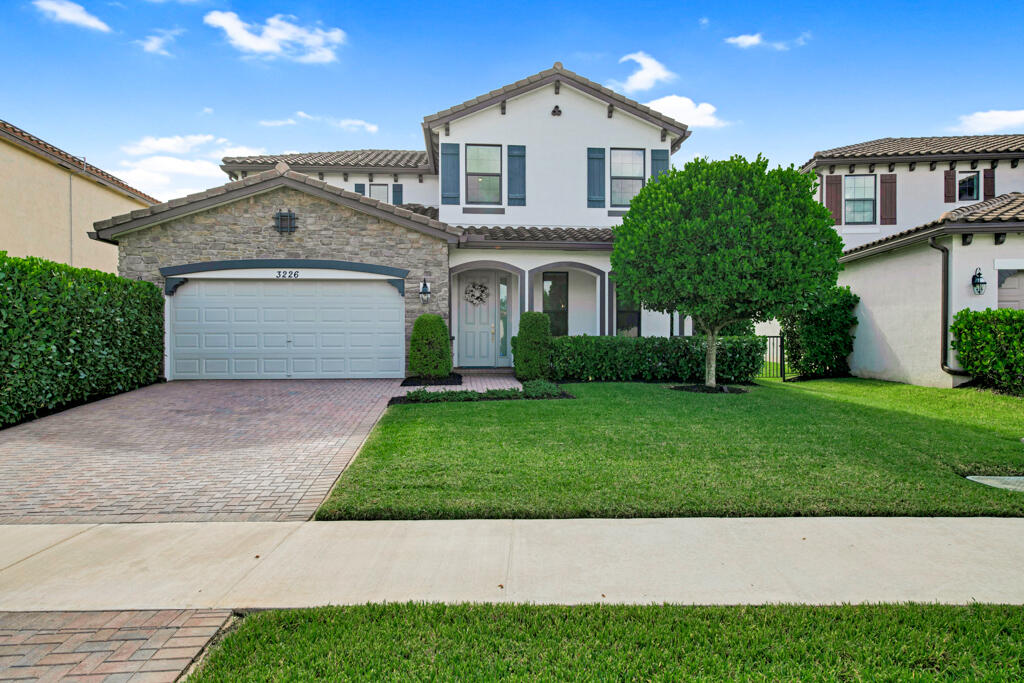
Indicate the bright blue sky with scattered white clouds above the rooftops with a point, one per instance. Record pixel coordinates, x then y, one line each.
156 92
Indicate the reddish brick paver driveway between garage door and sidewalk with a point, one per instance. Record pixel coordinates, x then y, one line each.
267 450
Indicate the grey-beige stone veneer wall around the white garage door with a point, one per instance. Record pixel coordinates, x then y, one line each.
245 230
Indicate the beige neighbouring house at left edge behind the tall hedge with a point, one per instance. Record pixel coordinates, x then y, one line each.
51 200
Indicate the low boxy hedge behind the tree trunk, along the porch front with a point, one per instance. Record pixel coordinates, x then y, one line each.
654 359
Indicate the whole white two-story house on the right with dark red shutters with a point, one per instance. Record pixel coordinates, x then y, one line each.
932 226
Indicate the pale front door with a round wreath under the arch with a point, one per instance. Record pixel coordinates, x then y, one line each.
478 319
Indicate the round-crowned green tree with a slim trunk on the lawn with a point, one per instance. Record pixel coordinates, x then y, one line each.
723 241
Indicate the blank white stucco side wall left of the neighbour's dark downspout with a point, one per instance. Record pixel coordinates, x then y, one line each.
899 336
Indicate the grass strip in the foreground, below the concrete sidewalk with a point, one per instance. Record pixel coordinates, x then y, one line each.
667 644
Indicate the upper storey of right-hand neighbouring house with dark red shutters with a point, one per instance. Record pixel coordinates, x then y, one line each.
892 185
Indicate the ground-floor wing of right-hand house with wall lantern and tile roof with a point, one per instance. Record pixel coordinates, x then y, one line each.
913 283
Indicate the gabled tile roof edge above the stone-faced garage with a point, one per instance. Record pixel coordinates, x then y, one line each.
141 218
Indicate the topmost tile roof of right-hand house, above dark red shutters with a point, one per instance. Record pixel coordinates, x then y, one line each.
925 147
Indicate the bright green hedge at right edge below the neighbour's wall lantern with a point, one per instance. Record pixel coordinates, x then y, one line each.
990 345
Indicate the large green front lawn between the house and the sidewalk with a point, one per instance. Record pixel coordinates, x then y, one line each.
823 448
